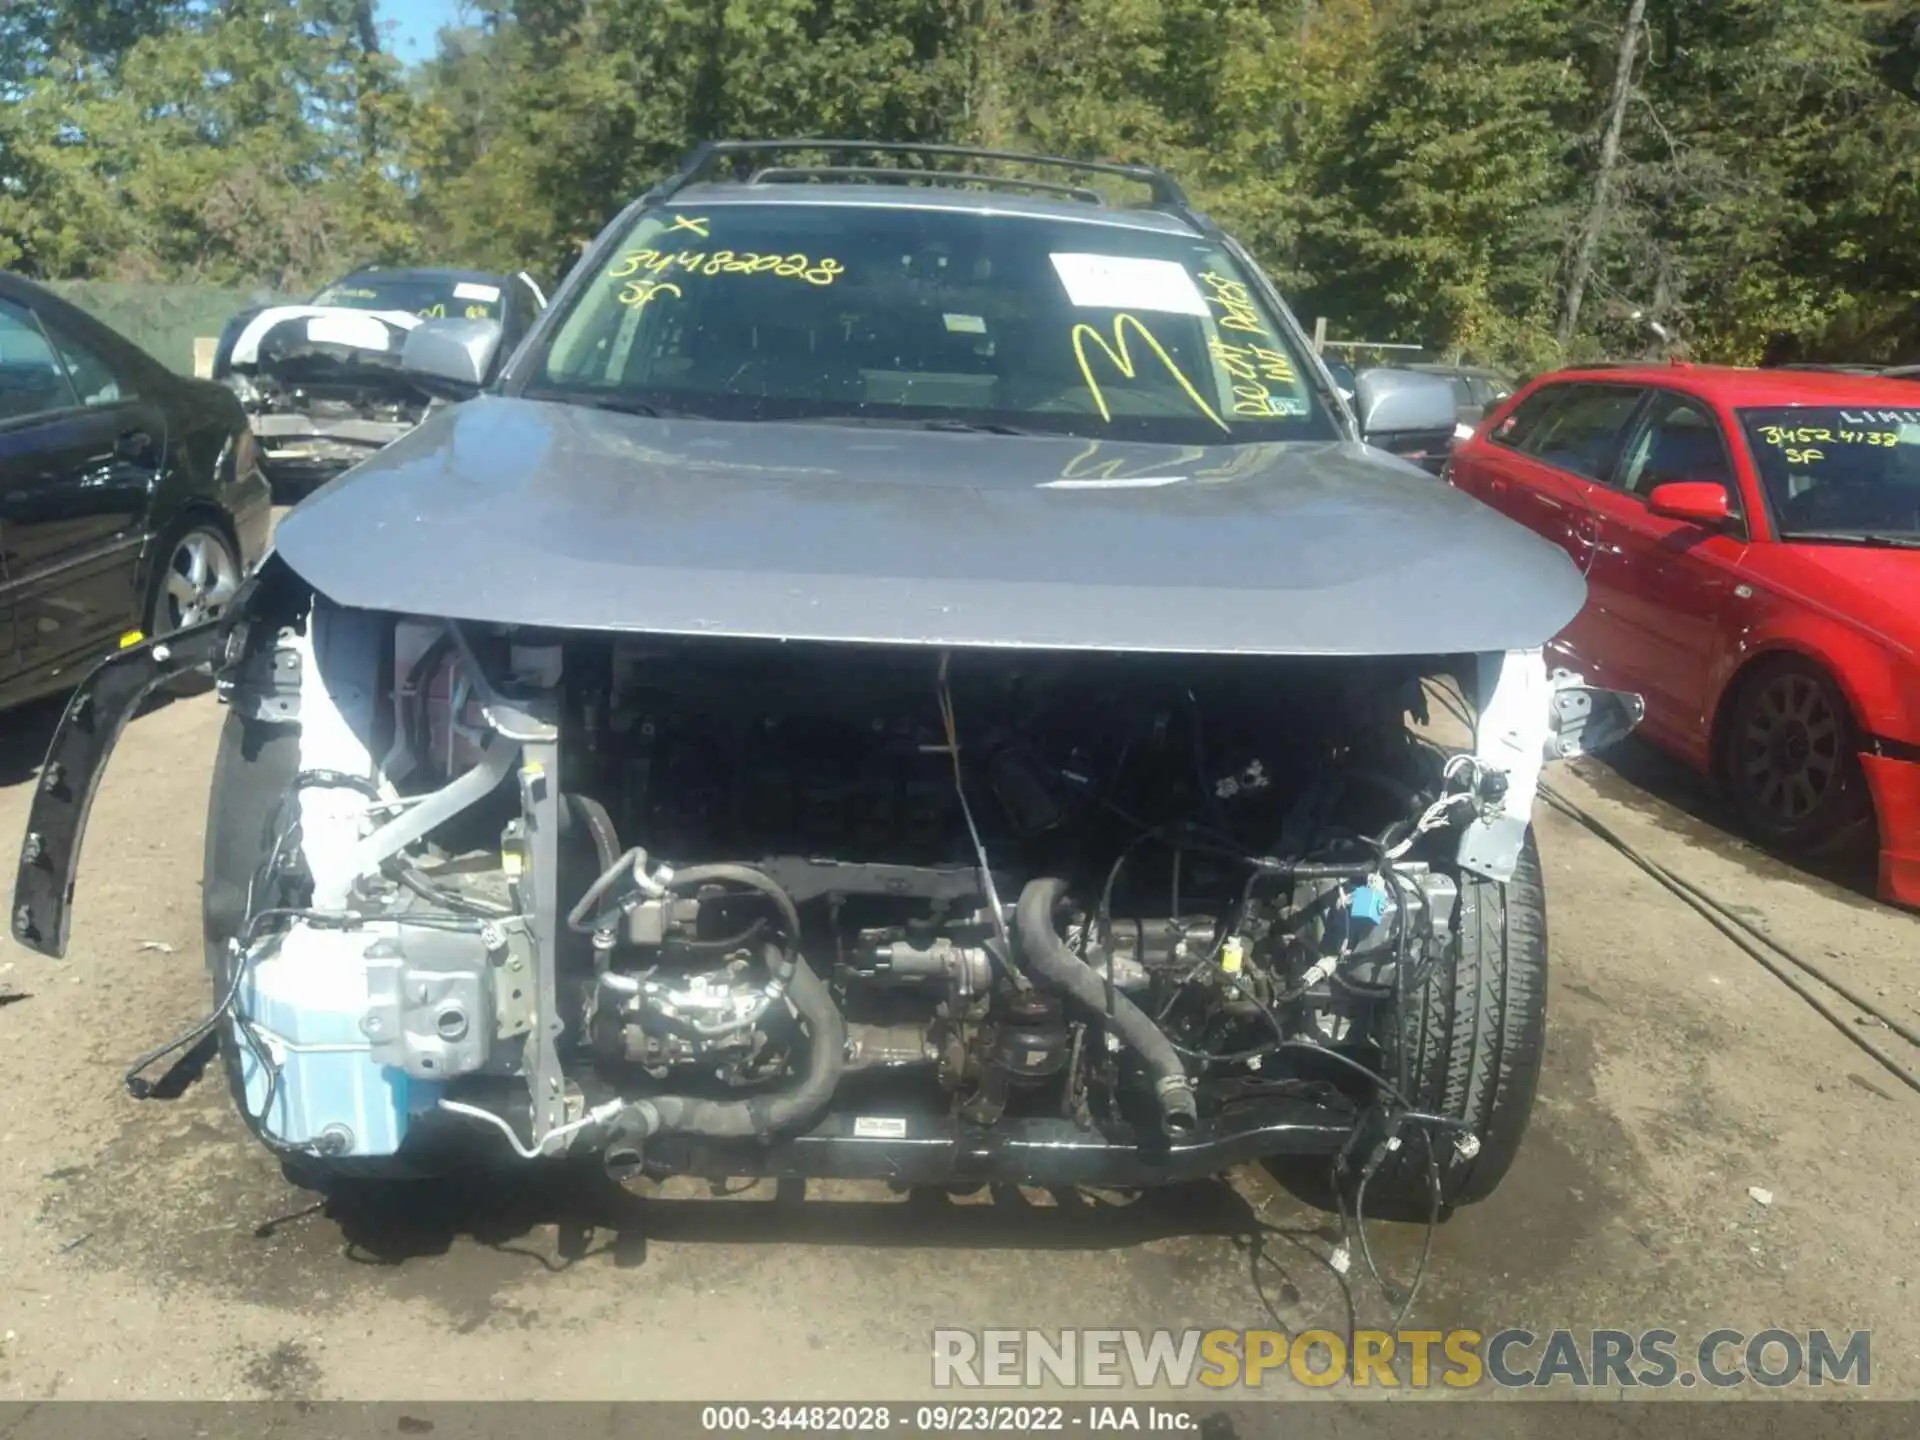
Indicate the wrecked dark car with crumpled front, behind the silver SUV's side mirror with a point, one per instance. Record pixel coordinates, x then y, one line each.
322 381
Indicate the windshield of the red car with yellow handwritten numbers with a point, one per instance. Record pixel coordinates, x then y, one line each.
1836 471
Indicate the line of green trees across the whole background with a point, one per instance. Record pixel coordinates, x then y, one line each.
1414 170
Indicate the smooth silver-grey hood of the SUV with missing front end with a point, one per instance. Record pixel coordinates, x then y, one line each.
560 516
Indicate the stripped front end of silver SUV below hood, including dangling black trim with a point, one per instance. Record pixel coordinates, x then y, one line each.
734 907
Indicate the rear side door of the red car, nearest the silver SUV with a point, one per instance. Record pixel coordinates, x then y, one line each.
1545 466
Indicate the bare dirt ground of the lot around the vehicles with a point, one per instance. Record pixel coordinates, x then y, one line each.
151 1251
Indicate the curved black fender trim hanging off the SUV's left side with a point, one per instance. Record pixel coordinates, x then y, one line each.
97 715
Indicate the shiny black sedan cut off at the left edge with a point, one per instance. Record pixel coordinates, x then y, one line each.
132 502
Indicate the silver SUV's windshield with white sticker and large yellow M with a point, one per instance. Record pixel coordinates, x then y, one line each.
901 316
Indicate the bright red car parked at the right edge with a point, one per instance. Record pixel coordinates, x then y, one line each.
1752 552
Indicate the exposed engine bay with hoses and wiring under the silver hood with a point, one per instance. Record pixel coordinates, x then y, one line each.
740 886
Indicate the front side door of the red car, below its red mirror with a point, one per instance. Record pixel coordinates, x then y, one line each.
1660 588
